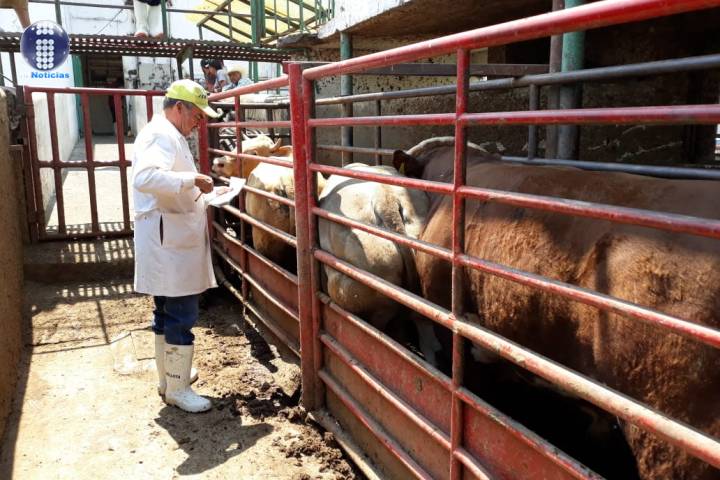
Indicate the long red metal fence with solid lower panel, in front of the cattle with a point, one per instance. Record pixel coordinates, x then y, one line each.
405 414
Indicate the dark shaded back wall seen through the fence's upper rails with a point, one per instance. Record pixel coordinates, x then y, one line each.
666 38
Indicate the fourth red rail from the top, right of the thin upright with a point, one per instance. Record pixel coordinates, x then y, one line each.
604 302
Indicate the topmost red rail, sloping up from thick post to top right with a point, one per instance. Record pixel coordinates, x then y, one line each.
592 15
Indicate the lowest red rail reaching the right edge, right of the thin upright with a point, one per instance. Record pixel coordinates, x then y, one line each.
690 440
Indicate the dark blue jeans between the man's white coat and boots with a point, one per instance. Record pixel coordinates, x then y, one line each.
174 317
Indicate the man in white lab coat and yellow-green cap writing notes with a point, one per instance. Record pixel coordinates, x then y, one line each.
172 250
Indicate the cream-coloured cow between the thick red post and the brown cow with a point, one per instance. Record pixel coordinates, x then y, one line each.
398 209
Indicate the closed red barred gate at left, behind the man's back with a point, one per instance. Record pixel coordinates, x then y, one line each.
53 171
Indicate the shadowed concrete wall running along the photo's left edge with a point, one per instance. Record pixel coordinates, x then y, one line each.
11 274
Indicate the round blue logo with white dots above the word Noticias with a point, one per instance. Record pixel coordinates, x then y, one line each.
45 45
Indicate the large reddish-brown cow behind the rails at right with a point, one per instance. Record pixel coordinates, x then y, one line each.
675 274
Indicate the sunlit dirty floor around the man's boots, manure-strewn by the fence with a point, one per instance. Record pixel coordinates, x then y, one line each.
87 405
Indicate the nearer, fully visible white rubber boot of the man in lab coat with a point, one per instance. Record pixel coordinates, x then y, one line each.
178 359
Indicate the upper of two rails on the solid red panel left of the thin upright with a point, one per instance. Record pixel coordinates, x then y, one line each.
377 386
